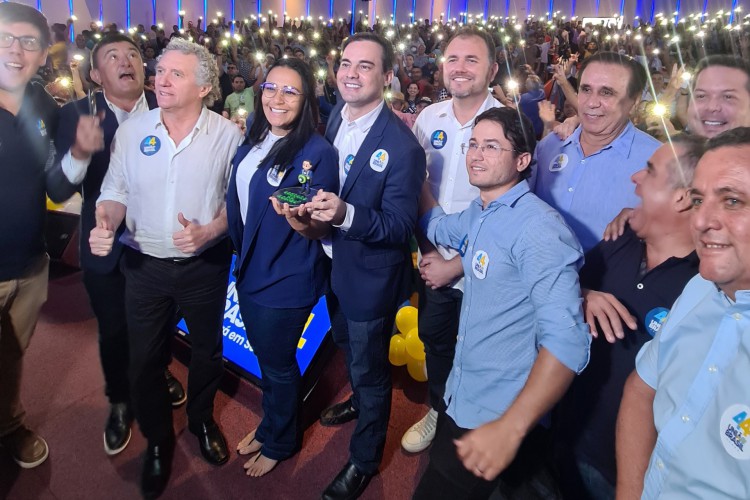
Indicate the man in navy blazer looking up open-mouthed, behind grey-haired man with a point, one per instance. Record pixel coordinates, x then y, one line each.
83 150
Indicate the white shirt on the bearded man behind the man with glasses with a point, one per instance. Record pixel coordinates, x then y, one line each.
438 131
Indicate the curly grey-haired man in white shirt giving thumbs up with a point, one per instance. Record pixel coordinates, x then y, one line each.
167 178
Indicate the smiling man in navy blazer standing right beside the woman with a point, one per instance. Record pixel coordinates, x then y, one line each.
381 168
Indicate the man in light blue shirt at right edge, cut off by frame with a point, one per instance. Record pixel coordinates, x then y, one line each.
685 414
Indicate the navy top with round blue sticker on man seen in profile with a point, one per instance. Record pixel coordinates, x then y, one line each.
589 410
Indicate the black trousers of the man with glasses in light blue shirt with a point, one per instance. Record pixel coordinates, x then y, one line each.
528 477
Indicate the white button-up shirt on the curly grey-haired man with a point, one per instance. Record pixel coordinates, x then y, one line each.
156 178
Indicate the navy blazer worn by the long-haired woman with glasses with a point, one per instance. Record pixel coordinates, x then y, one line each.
276 267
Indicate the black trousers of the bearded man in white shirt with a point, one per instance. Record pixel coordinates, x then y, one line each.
439 312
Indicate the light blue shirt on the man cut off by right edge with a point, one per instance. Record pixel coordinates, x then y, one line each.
699 365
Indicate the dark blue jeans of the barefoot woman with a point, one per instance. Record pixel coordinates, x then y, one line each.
274 335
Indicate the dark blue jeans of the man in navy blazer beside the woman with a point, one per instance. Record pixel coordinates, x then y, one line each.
365 345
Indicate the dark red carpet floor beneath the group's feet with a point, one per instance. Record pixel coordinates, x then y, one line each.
64 398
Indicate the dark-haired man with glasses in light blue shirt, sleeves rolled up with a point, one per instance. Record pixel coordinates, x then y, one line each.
522 336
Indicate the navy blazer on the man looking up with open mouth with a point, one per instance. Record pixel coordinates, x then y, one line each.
91 186
